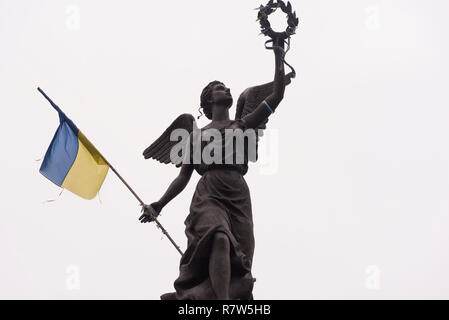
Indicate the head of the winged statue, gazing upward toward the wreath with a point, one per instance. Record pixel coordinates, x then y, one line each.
215 93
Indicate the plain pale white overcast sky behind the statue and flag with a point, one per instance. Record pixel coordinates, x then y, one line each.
358 153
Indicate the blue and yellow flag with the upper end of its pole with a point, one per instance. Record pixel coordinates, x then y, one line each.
71 161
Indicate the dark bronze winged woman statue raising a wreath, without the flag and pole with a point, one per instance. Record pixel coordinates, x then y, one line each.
218 259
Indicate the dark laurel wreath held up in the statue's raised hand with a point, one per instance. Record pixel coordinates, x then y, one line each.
265 11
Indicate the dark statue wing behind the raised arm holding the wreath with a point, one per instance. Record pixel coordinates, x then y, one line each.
250 99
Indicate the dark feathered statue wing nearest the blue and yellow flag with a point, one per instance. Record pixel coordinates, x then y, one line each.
161 148
